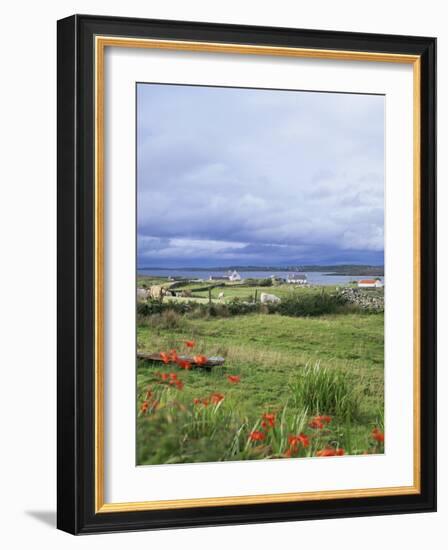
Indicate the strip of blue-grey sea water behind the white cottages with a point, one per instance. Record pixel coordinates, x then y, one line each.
313 277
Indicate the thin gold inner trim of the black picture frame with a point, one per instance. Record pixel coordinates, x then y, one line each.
101 42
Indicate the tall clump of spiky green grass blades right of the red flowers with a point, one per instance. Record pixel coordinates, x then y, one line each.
324 390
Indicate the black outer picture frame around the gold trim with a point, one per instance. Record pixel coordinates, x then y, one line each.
76 255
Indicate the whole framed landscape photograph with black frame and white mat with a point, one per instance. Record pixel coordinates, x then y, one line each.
246 271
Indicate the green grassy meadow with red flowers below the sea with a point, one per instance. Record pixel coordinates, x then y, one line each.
290 386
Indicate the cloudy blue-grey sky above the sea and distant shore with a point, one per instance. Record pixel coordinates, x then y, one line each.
229 176
